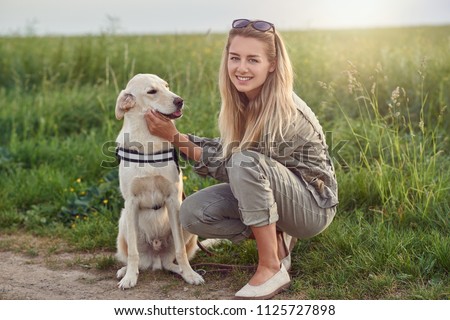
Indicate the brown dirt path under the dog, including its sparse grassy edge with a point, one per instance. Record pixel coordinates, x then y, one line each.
41 269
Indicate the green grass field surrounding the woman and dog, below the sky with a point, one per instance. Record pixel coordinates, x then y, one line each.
381 96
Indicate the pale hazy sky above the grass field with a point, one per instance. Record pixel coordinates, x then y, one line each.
80 17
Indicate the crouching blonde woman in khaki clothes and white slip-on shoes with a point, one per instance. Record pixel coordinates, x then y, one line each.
278 179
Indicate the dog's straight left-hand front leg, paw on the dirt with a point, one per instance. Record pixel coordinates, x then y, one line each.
132 269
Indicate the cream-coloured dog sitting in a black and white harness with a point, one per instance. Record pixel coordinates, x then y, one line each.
150 233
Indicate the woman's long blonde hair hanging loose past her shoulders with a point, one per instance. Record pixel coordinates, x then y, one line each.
244 124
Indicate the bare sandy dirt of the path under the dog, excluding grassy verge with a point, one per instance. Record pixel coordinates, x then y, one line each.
58 278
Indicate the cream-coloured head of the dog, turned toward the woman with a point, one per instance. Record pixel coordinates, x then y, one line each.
148 91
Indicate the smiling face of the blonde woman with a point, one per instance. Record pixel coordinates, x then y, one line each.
248 65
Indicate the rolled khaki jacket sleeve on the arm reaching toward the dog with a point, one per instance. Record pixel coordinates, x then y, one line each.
212 163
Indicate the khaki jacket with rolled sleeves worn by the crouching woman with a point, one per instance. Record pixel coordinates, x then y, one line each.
305 153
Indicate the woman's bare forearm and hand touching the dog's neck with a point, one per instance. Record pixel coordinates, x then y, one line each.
164 128
